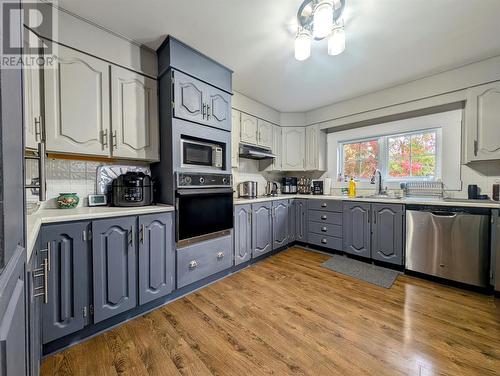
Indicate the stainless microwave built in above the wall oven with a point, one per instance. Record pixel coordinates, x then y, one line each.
196 154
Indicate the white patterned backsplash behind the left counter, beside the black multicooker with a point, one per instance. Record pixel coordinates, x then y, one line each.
64 176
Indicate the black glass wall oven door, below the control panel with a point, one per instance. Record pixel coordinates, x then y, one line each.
202 214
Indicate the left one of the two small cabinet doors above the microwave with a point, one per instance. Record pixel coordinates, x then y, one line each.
189 98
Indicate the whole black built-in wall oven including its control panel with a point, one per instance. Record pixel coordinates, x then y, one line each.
204 207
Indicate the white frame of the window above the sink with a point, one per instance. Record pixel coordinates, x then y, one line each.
383 157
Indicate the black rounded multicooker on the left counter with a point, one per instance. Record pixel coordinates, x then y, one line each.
132 189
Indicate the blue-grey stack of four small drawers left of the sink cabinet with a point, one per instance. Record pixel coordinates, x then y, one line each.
325 223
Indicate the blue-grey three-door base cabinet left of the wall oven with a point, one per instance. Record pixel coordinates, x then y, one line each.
99 269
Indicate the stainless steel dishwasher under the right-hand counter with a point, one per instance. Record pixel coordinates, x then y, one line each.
451 243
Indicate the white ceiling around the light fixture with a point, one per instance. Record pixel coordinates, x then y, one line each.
388 42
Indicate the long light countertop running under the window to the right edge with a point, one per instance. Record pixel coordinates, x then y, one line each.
388 200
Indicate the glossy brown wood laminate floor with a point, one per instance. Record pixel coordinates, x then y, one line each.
289 316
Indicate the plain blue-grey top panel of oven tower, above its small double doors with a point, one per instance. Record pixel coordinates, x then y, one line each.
175 54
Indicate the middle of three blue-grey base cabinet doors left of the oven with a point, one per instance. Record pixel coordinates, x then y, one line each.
115 266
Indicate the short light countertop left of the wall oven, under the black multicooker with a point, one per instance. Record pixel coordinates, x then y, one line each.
34 221
